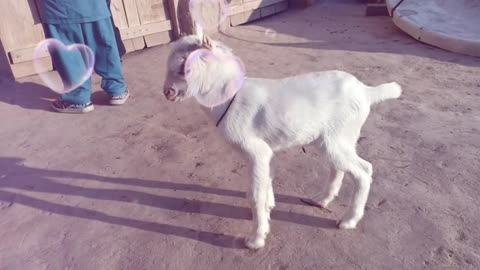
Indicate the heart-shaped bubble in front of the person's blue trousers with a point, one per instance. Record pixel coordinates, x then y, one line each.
76 60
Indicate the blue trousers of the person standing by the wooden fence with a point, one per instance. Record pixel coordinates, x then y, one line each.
100 37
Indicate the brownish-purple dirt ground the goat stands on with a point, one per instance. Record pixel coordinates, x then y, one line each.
150 185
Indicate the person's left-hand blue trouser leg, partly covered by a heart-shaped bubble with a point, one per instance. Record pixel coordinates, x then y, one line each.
66 64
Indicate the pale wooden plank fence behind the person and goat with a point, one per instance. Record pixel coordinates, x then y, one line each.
139 23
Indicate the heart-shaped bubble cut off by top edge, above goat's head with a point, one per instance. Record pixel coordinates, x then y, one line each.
202 14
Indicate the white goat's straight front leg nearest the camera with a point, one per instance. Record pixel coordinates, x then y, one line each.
260 196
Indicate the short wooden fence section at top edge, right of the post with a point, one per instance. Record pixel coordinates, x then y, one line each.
243 11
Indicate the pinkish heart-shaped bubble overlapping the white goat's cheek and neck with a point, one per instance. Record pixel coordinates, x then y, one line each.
225 86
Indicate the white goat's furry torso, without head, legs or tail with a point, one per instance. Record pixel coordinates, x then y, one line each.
297 110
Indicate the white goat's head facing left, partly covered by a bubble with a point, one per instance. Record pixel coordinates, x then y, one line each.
204 68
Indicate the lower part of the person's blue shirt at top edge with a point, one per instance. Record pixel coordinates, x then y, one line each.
73 11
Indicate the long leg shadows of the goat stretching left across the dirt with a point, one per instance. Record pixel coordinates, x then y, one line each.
16 176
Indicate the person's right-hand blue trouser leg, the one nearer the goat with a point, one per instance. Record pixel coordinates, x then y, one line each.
100 37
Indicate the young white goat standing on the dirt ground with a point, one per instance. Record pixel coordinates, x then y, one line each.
326 108
